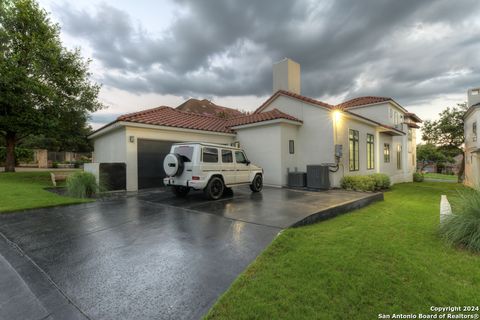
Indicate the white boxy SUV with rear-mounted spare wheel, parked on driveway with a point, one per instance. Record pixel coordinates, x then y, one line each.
209 167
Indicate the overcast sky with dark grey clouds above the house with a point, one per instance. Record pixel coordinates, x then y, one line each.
424 54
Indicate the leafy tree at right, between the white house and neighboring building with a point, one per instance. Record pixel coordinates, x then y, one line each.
447 133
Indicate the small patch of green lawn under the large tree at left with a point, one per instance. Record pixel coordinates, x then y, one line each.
24 190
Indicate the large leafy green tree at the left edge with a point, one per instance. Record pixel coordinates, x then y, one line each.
42 84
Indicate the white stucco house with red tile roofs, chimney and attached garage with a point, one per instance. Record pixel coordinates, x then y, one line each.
285 134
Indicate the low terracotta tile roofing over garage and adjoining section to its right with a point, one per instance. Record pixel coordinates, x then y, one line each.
170 117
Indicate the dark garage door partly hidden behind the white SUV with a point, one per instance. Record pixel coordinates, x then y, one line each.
150 162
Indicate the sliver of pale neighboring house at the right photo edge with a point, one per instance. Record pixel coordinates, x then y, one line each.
472 146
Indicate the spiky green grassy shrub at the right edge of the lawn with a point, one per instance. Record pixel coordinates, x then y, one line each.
463 227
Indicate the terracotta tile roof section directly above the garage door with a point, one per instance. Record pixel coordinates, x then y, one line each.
166 116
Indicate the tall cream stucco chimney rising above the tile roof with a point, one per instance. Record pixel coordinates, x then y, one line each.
286 76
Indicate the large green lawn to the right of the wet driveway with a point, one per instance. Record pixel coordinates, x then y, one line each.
385 258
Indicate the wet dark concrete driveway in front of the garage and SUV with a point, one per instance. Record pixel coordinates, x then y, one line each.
150 256
